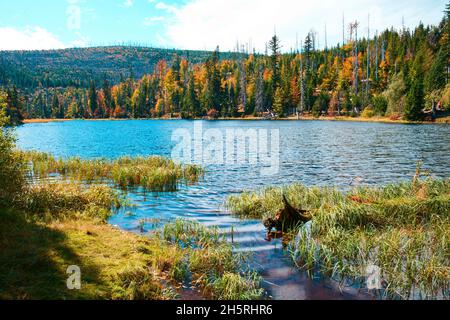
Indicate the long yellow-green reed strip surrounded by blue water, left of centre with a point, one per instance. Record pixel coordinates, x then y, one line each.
151 173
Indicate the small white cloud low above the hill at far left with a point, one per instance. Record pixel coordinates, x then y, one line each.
30 38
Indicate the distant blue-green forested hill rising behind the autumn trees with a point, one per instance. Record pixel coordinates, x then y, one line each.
78 66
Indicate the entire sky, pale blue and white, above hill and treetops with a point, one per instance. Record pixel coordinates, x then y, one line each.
200 24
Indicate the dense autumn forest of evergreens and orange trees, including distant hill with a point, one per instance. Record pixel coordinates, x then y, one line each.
397 73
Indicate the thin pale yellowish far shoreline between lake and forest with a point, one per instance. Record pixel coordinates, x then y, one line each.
443 120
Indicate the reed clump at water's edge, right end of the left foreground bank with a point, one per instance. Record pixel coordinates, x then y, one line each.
210 261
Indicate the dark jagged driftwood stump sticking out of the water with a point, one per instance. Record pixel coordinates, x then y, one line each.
287 218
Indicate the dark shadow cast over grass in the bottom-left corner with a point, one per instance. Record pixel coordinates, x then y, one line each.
34 259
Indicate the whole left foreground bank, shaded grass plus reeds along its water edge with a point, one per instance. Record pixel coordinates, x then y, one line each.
59 225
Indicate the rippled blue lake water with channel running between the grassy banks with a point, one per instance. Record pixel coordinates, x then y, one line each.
311 152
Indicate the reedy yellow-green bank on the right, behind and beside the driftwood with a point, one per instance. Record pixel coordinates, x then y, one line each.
401 228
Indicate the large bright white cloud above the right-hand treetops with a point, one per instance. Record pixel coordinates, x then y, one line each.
204 24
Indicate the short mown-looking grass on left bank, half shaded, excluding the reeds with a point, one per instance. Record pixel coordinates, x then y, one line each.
36 255
